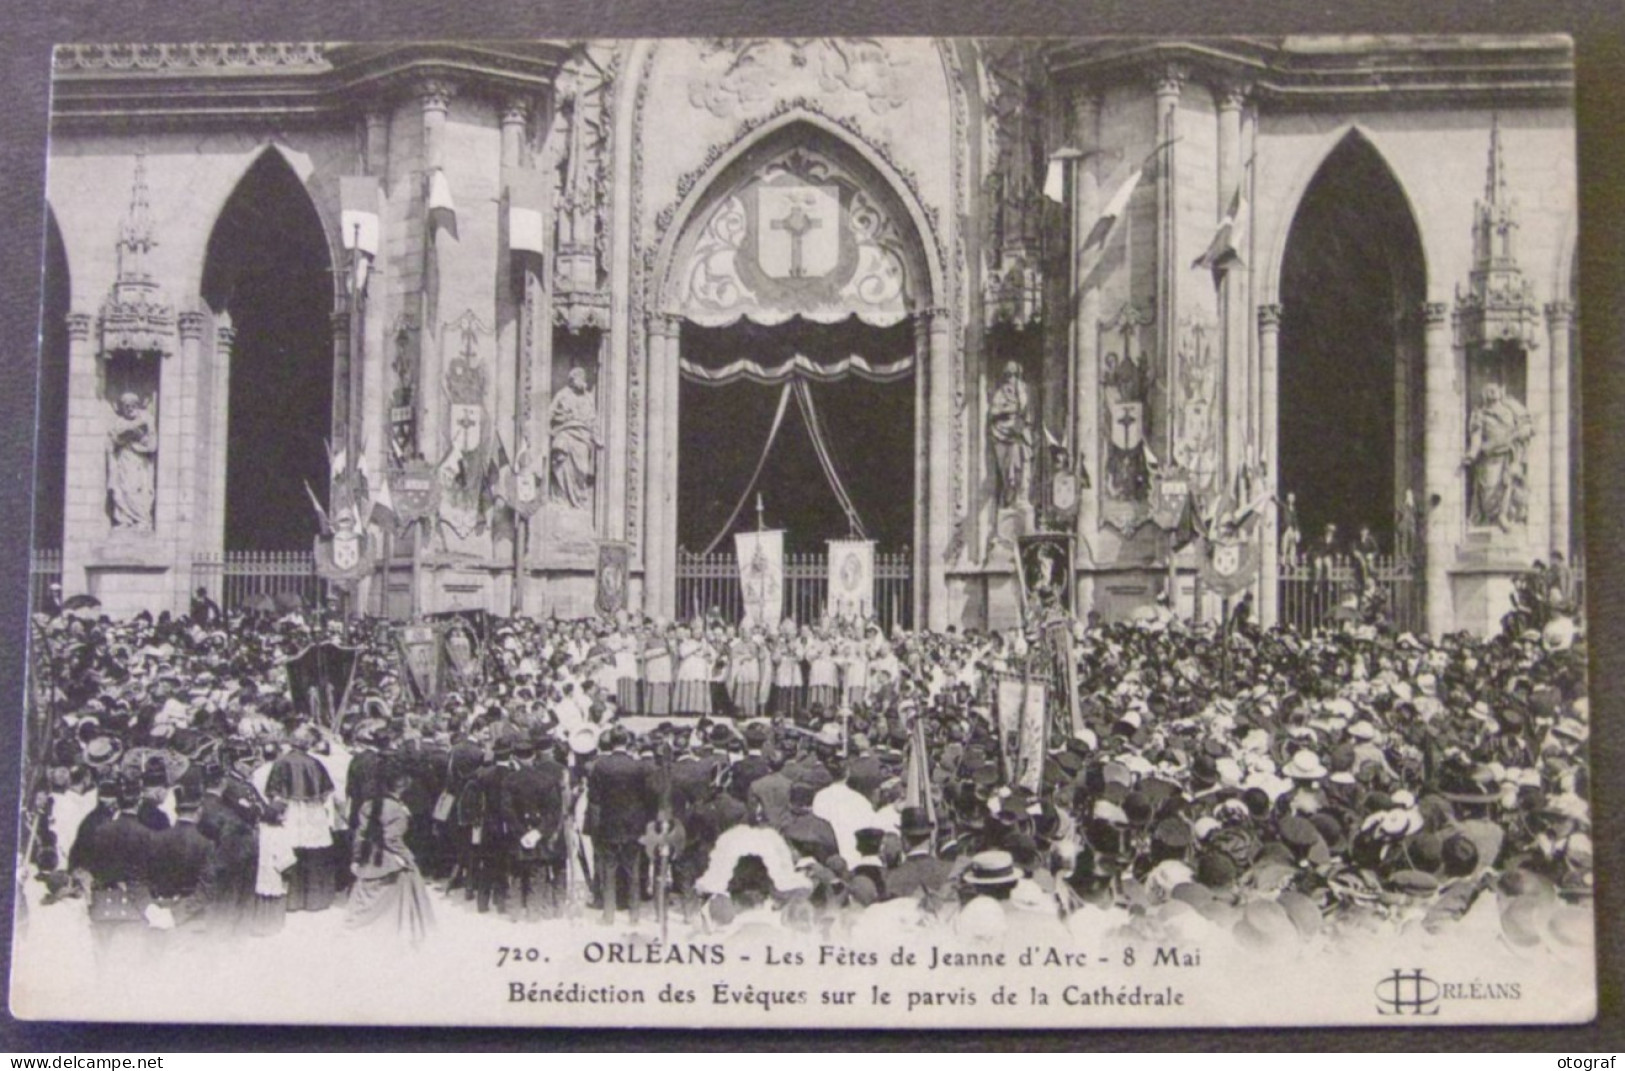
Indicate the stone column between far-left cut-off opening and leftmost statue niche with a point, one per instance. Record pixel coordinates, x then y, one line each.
85 496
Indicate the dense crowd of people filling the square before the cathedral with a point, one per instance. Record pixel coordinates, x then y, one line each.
1281 787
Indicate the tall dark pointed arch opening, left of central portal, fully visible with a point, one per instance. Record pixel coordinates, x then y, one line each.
271 271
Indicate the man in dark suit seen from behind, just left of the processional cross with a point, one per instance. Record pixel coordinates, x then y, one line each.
620 805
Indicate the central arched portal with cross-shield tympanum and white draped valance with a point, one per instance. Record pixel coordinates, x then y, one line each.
797 284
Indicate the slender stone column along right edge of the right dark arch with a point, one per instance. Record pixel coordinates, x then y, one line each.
1442 464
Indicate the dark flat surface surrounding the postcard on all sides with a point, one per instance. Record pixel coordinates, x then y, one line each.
1600 38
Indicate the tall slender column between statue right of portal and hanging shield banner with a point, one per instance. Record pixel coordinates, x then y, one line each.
1086 326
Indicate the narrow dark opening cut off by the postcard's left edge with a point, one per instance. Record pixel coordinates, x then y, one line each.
51 435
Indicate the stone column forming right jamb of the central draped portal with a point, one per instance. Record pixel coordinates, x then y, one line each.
935 344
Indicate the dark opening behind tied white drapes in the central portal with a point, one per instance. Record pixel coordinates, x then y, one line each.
869 428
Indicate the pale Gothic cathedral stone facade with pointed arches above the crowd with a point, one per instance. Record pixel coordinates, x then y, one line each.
1096 274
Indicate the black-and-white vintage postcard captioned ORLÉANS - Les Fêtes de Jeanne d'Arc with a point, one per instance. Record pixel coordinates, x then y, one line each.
821 532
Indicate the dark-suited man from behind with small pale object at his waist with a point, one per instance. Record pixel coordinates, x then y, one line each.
534 810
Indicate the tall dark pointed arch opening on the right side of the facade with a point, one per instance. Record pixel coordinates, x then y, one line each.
1353 282
